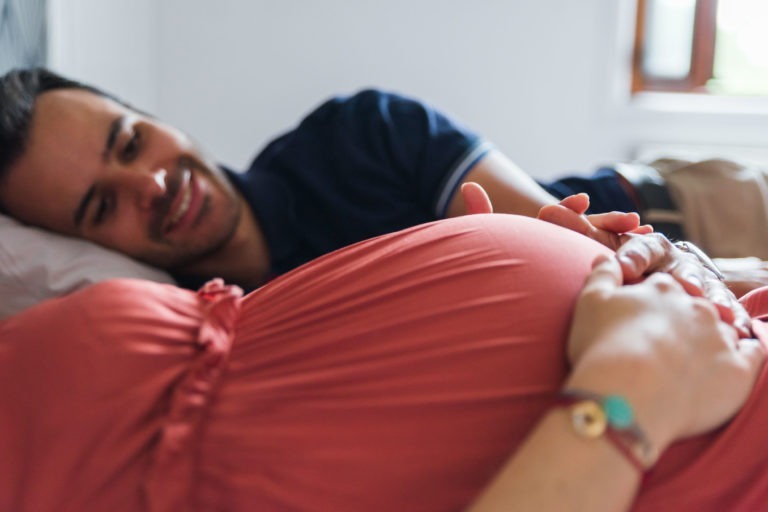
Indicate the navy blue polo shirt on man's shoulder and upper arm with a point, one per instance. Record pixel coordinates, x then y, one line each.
356 167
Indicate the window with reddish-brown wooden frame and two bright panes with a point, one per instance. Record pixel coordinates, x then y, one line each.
701 46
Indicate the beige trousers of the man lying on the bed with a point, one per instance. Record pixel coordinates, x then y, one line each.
724 205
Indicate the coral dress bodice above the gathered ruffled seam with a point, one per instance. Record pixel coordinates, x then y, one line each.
103 394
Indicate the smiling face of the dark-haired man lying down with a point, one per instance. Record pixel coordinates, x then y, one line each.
100 171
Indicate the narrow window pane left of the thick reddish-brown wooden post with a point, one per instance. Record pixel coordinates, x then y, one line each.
668 38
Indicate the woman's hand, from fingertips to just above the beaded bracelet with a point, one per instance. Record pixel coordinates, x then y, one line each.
683 369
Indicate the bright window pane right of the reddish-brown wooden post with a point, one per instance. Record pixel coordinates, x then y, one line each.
741 48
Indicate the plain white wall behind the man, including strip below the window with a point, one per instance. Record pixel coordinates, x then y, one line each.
543 79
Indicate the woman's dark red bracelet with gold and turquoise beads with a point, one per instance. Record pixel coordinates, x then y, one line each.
594 416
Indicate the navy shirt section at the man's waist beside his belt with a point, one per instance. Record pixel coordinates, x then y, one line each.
604 188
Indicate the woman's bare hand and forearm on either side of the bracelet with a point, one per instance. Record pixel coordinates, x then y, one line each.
681 368
